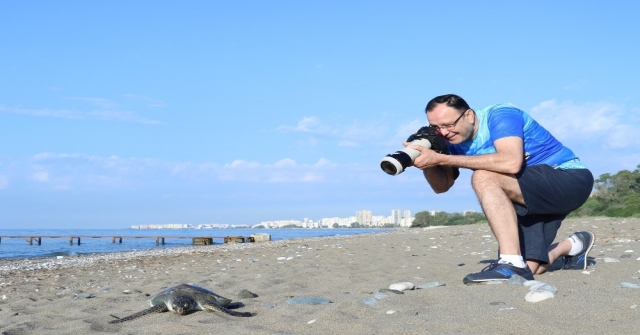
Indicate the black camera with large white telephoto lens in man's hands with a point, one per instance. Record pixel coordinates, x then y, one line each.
395 163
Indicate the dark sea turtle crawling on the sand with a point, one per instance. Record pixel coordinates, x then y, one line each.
184 299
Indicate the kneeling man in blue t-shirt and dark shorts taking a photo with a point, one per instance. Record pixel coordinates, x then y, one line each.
526 182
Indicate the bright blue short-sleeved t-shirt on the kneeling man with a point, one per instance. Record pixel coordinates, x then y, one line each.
502 120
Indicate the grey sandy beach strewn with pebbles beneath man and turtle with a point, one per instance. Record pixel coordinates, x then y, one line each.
80 295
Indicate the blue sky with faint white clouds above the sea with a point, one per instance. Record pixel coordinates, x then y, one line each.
117 113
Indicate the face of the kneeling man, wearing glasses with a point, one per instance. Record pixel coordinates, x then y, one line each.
451 125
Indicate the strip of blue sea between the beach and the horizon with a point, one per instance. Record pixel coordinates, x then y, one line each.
17 248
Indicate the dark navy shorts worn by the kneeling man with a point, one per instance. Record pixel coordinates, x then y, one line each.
550 195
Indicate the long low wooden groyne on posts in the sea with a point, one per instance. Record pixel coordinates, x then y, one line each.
198 240
